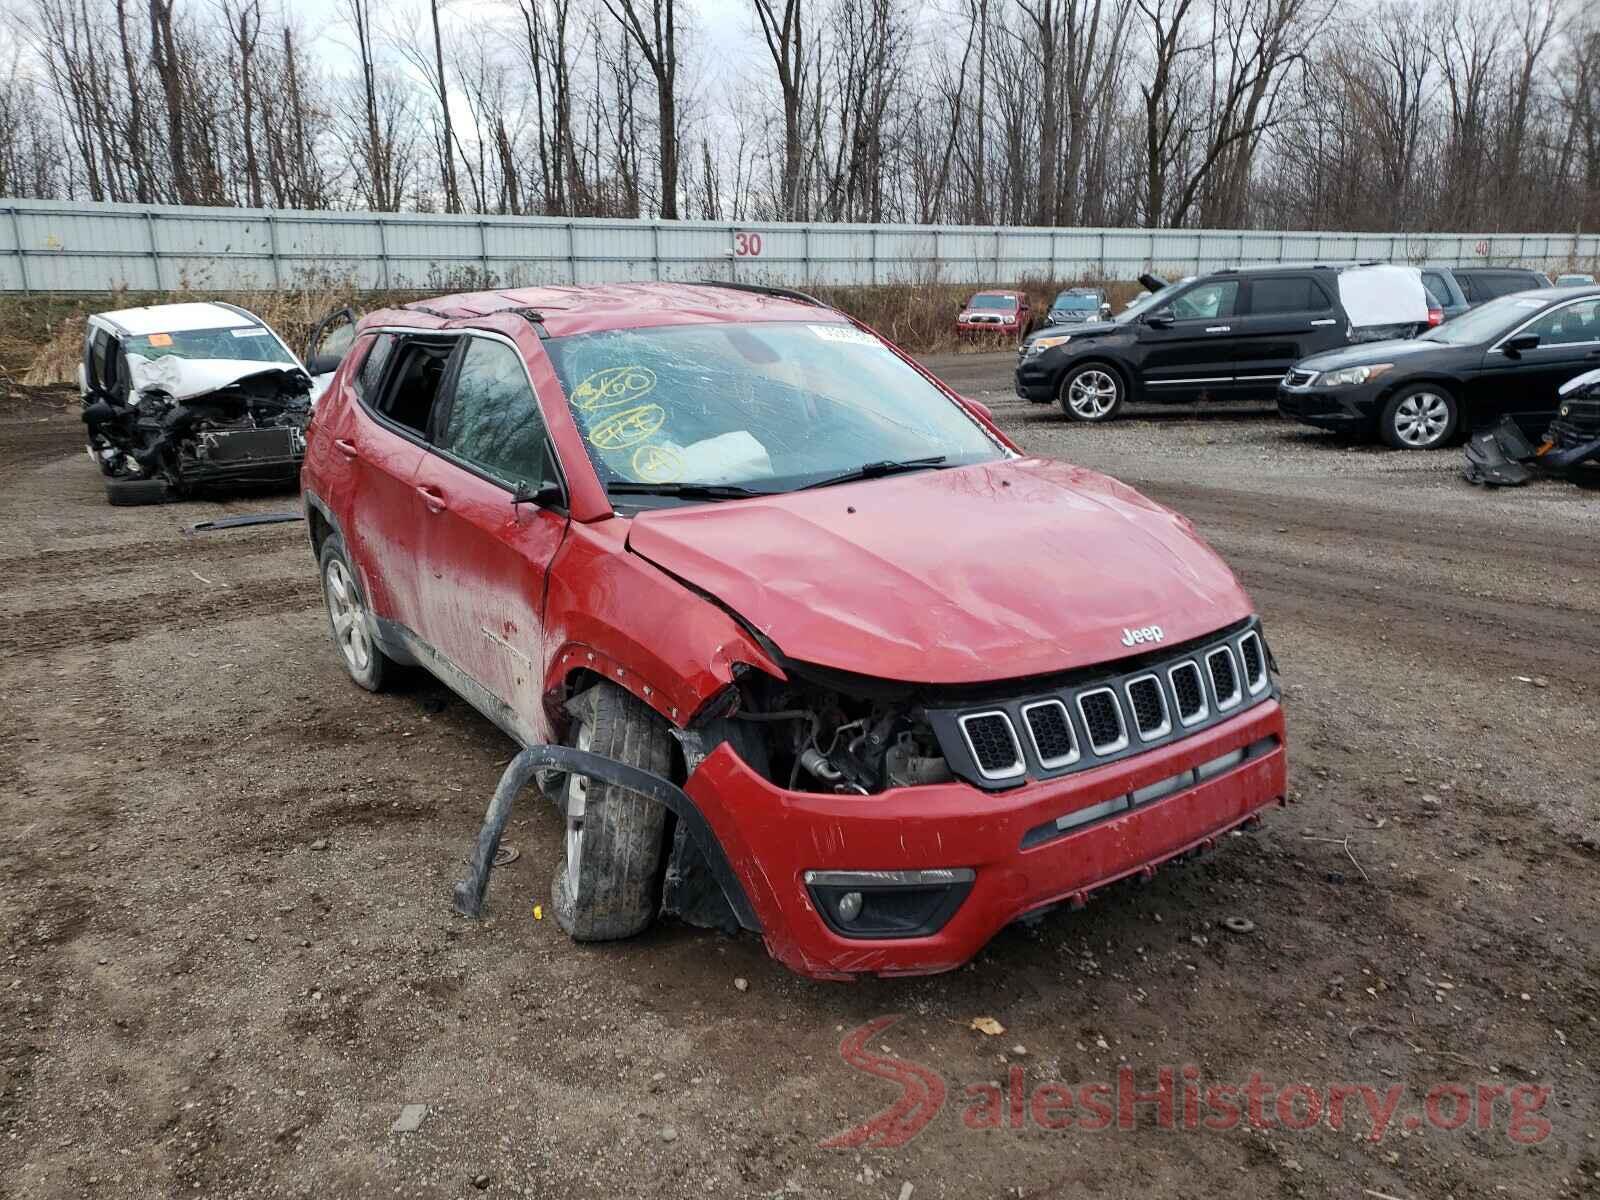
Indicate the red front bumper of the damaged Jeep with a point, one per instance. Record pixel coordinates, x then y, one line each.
1004 852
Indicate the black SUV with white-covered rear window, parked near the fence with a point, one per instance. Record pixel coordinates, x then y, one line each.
1223 337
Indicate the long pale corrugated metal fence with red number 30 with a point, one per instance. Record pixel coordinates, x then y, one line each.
82 247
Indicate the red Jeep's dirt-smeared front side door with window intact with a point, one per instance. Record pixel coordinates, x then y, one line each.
484 554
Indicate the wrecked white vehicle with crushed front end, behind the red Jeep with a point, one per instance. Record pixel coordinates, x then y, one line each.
190 398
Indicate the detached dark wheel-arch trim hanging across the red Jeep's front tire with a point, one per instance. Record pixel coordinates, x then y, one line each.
470 894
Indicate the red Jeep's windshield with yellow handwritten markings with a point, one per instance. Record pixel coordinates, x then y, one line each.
770 407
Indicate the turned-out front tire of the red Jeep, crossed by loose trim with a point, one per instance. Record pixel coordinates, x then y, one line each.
609 882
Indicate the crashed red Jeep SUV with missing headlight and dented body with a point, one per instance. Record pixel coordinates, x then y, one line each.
804 642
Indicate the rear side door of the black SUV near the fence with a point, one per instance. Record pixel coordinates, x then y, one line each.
1286 319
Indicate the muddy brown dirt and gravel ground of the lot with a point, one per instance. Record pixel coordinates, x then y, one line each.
228 958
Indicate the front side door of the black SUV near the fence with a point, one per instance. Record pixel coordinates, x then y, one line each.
1186 348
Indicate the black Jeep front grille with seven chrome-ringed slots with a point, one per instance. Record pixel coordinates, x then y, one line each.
1100 718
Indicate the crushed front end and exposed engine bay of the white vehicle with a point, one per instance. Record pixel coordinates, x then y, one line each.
246 431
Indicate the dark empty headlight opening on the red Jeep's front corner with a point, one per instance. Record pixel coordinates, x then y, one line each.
823 738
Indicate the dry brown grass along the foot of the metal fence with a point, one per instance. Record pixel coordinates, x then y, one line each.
42 337
